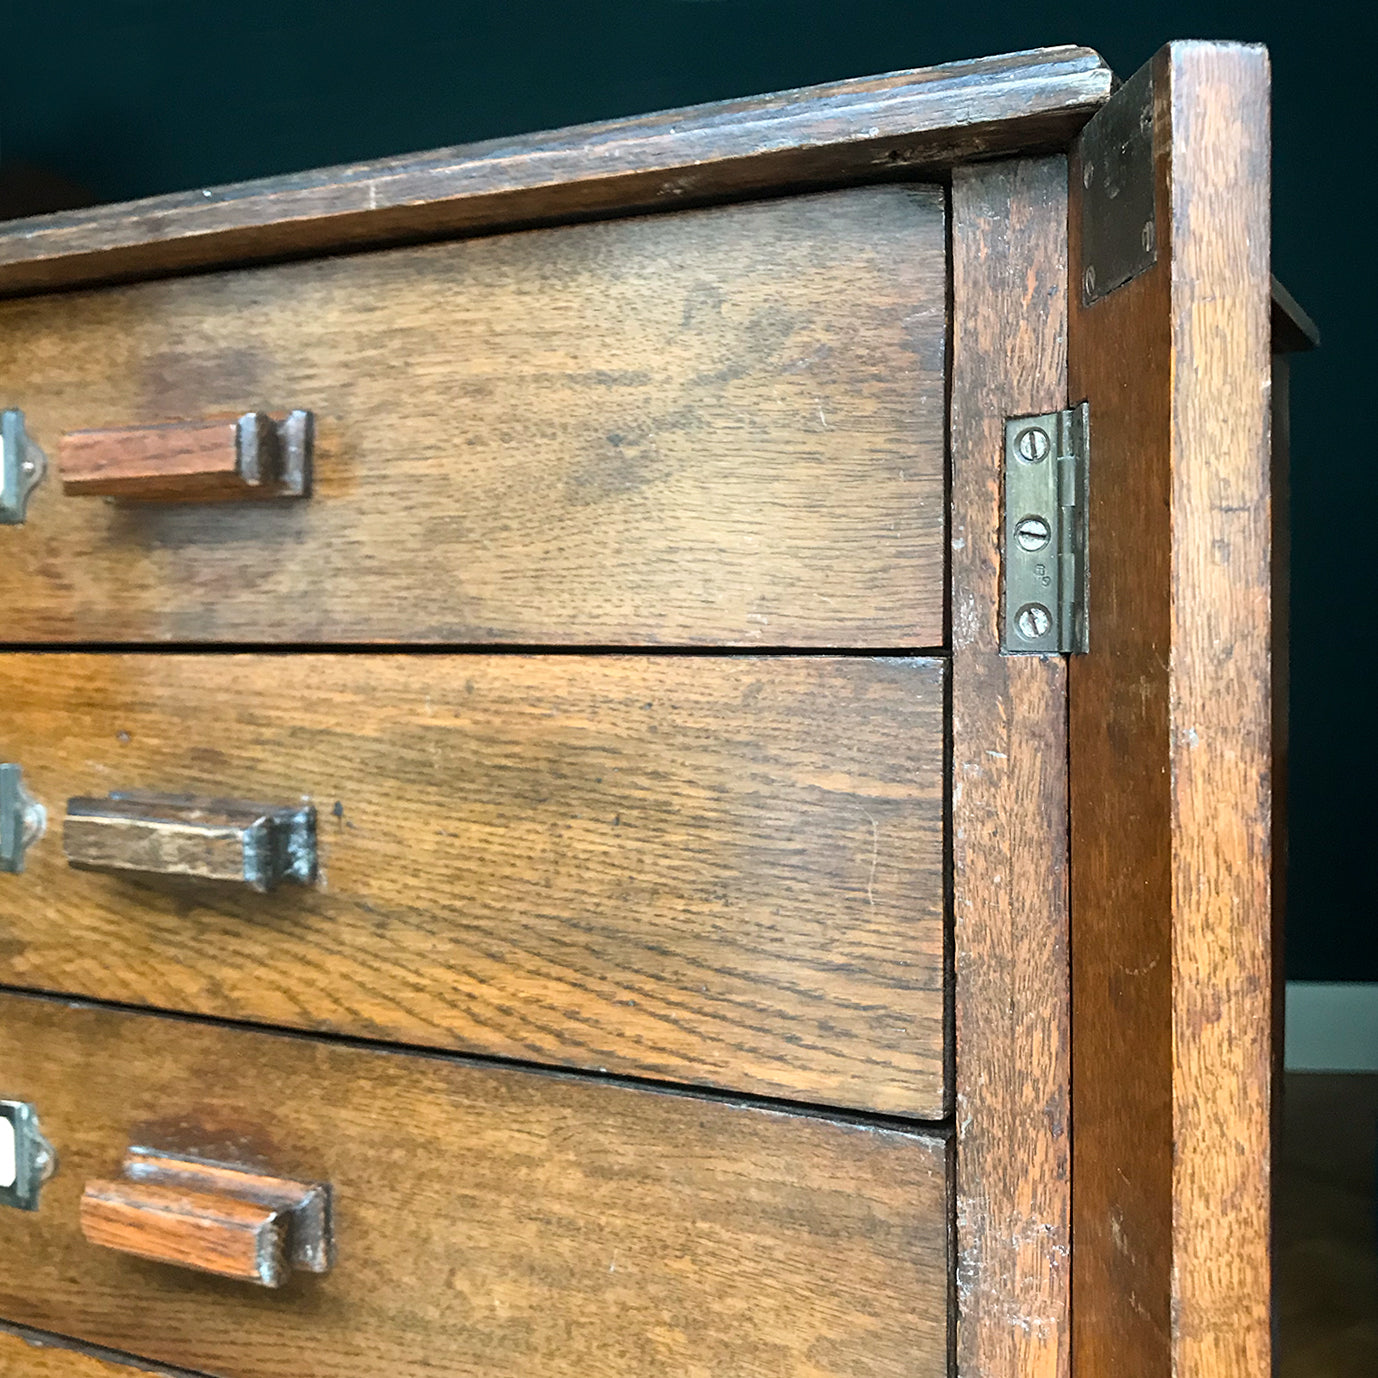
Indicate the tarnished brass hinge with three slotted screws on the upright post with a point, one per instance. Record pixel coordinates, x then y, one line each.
1044 567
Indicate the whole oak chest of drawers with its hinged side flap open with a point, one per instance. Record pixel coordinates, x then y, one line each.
537 844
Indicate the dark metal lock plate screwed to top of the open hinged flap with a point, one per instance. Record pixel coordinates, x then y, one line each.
1115 156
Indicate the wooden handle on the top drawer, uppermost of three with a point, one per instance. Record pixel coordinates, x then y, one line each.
192 462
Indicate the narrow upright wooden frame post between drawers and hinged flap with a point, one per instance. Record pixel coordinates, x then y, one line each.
1009 799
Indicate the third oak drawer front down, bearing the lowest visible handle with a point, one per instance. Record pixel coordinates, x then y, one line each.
490 1222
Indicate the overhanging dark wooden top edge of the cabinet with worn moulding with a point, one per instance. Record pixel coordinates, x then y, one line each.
867 129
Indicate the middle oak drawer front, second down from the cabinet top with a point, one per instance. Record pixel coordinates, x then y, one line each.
719 870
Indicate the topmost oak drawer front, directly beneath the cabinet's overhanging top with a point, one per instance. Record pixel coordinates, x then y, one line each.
720 426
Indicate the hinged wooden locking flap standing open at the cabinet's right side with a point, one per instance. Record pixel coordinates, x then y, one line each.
1171 759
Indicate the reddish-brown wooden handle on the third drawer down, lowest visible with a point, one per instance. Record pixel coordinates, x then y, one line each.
212 1217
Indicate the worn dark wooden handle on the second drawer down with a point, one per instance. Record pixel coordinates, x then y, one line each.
258 845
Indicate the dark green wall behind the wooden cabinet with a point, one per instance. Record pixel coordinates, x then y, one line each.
137 97
